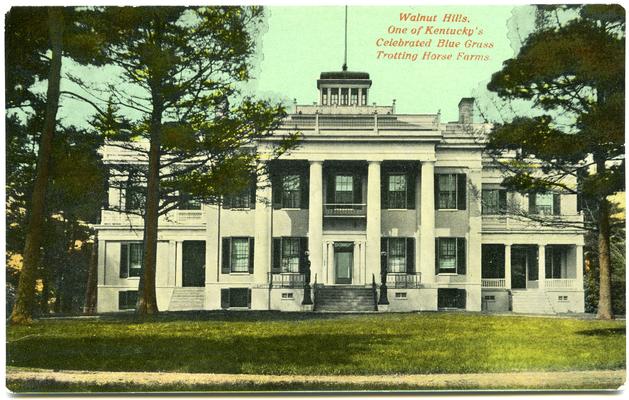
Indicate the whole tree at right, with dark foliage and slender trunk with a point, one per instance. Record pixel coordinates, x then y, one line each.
571 68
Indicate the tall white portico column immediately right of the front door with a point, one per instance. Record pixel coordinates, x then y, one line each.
373 221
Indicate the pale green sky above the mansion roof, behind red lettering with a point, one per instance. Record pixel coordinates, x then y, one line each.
301 42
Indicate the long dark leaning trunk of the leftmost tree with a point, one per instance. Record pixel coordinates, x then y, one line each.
23 309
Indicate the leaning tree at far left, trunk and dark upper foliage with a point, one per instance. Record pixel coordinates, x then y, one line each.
31 33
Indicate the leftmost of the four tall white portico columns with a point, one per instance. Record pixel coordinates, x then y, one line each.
263 236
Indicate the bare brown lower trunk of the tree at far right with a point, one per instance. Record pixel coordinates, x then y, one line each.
605 285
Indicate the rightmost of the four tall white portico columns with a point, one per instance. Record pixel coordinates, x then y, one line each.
427 221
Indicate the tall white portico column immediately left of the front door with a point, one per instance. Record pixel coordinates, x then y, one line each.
315 219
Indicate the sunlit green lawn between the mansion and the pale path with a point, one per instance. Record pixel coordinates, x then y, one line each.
286 343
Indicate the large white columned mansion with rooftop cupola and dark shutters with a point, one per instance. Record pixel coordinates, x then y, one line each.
373 211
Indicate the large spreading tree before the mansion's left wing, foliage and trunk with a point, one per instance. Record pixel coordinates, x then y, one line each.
180 70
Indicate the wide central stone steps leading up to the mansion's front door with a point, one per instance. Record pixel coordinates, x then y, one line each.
344 299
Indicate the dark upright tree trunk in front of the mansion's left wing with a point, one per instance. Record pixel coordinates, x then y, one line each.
148 299
